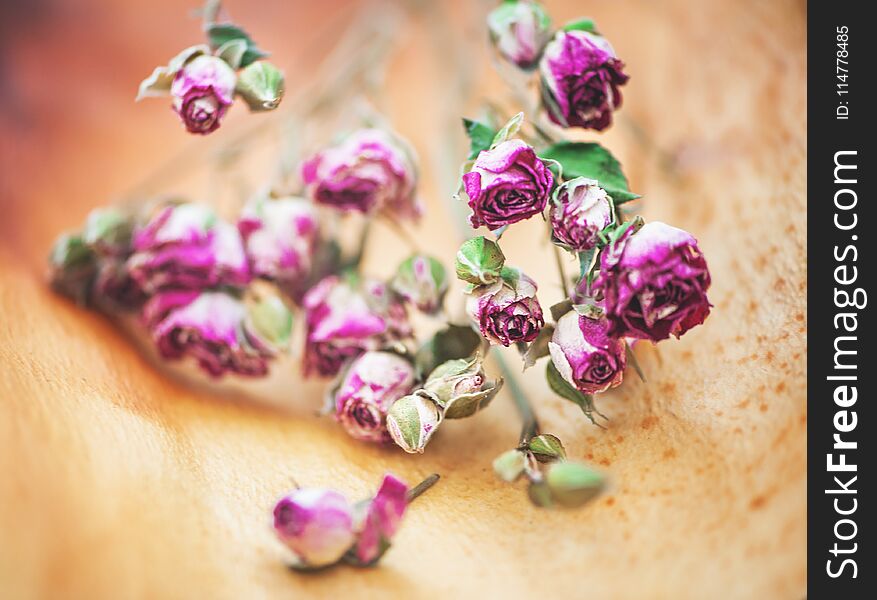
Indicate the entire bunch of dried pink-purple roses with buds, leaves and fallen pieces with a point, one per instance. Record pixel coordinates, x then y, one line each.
223 294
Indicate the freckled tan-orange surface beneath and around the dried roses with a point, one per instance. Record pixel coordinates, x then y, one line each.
120 483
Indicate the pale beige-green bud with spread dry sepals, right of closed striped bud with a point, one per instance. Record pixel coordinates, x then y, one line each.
461 387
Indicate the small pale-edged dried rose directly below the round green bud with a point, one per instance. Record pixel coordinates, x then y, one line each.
507 311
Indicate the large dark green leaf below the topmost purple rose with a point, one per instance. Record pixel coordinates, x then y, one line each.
589 159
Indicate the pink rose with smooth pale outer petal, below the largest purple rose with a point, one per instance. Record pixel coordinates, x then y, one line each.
586 357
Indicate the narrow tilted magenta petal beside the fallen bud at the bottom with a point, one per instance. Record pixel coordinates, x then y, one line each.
382 520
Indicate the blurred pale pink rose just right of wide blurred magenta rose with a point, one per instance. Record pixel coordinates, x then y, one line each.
280 238
